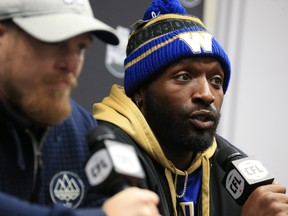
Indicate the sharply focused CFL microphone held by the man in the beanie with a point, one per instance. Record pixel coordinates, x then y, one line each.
242 174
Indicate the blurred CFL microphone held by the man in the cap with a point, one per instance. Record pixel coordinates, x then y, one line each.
112 166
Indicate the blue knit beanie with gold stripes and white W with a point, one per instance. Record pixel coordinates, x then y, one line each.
166 34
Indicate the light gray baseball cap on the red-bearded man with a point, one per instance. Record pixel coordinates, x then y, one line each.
56 20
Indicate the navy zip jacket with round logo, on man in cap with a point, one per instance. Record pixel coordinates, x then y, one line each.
42 169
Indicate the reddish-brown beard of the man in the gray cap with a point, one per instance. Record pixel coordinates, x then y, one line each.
43 107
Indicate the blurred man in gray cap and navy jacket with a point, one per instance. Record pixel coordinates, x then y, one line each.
43 145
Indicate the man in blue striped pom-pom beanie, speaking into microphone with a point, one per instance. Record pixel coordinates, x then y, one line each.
176 75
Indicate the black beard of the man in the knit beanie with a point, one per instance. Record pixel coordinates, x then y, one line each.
173 129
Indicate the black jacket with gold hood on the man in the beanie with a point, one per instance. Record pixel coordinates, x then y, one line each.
124 117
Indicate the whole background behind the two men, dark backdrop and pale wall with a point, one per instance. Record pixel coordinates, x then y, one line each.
254 34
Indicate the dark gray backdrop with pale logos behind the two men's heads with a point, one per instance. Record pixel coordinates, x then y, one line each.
96 78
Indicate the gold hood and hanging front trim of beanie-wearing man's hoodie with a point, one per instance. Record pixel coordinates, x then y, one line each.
120 110
